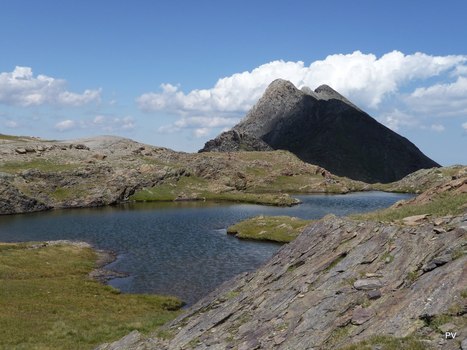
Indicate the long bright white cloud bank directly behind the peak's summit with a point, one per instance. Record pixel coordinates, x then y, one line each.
364 78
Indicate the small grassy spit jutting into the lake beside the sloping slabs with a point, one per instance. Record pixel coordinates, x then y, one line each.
271 228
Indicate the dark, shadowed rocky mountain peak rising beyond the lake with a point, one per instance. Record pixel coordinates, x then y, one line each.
324 128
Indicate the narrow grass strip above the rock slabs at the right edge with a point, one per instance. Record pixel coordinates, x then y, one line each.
441 205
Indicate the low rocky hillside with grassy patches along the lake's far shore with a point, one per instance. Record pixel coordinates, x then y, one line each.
37 175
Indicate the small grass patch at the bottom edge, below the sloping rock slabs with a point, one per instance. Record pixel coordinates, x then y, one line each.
388 343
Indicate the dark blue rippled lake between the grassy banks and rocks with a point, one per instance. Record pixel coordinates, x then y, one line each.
178 249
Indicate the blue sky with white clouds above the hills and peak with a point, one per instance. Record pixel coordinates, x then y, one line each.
177 73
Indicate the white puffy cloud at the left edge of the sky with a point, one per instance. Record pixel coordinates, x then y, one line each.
20 87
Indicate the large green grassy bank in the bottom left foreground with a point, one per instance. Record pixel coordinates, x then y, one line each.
47 301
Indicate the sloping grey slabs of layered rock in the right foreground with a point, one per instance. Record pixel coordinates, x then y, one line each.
340 281
